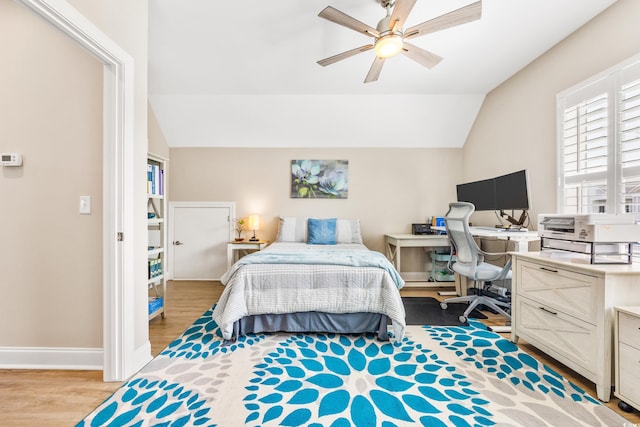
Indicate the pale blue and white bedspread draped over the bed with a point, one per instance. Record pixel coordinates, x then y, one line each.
290 278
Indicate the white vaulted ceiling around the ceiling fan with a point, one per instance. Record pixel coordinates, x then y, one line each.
244 73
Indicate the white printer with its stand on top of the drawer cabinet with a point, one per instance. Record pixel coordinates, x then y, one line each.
606 238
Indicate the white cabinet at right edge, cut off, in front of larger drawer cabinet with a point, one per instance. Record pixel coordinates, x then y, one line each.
627 355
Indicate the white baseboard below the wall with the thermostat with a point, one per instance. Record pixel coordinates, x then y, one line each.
51 358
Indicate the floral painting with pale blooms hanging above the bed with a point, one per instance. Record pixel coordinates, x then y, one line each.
319 179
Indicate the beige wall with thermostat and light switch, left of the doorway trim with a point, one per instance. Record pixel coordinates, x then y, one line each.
50 255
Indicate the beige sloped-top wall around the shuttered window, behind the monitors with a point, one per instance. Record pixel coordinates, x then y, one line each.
516 127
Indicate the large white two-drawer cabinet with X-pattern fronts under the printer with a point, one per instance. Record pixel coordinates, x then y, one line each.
564 307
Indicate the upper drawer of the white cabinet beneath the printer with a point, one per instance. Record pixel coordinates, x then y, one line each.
560 290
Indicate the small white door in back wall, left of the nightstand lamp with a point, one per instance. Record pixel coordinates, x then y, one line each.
198 236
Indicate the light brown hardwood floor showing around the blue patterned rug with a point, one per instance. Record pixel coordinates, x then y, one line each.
62 398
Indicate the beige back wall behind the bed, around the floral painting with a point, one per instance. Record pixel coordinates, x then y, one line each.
389 188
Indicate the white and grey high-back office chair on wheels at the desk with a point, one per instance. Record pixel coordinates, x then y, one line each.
469 262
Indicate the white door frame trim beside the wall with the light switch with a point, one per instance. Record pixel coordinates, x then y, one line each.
118 172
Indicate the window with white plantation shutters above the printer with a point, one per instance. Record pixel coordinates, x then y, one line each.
599 143
